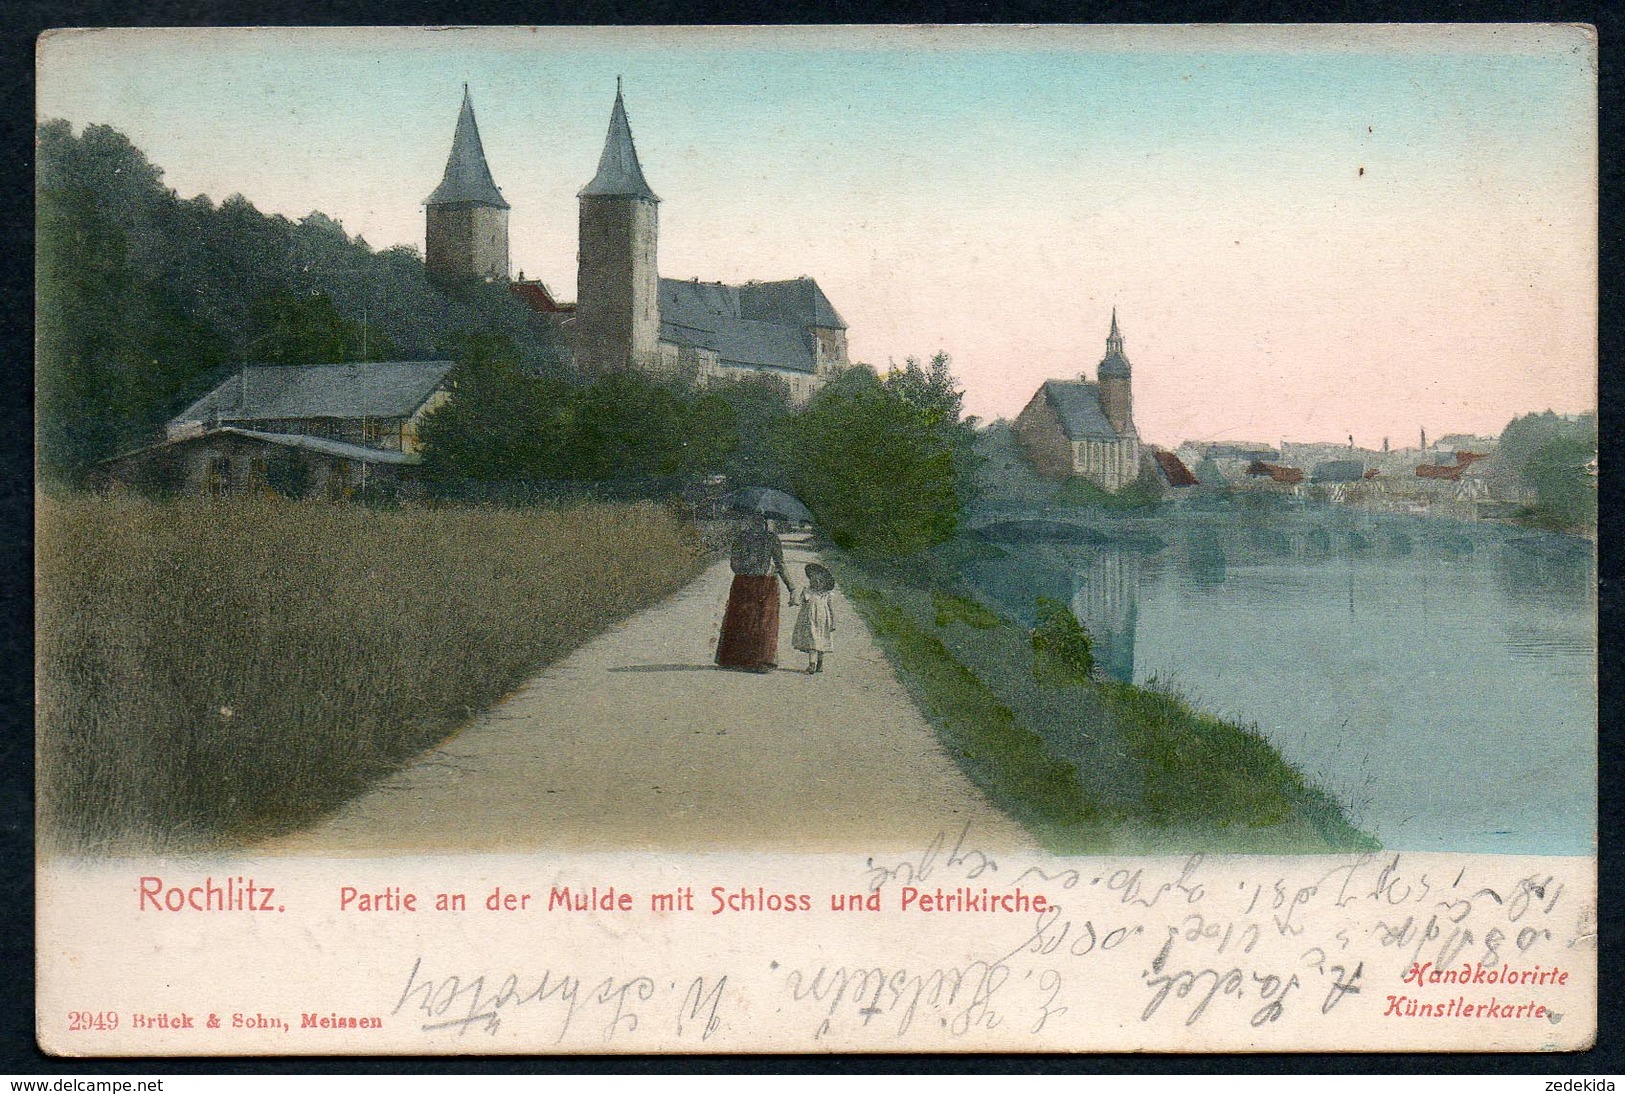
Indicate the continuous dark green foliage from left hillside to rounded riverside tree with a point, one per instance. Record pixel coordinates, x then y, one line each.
147 300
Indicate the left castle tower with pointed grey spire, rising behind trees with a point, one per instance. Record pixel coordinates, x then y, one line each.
466 219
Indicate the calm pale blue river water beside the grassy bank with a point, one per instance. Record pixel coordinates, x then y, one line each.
1437 679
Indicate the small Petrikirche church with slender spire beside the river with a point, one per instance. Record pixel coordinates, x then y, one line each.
1080 428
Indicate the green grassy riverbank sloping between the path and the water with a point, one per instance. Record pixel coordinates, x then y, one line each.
1086 765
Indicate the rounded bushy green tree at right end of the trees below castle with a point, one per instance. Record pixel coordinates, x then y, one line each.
877 469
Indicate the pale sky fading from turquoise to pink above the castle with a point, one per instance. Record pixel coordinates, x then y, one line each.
1307 233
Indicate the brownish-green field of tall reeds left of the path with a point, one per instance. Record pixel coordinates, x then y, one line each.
215 672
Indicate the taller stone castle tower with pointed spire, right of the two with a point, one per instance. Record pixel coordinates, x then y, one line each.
617 282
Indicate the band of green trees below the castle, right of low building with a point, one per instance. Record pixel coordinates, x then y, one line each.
883 464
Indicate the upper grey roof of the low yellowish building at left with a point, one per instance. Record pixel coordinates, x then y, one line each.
376 389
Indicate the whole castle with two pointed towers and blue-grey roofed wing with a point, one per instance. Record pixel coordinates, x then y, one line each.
626 316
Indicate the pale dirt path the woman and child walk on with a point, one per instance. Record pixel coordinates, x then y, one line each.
636 742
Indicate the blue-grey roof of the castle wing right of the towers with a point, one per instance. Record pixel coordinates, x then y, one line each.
755 326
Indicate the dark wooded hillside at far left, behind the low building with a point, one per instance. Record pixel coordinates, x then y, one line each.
145 298
